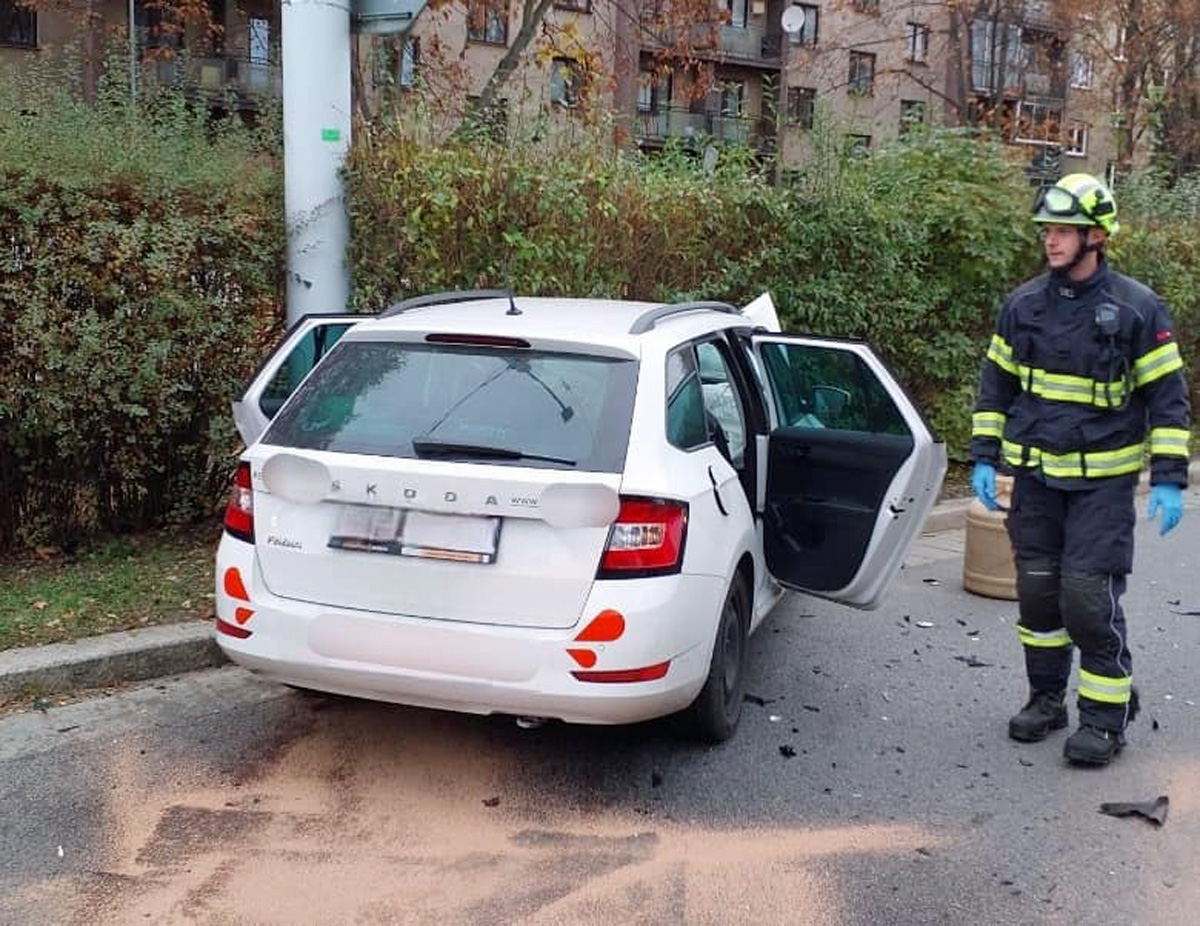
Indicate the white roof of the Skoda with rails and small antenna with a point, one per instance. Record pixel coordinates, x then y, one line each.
601 322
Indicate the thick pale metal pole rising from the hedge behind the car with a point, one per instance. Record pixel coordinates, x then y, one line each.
316 137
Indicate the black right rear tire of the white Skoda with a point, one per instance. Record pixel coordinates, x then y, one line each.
713 717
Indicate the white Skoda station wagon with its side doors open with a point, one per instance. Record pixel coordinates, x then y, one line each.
557 508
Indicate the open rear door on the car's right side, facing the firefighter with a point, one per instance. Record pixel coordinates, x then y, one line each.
853 468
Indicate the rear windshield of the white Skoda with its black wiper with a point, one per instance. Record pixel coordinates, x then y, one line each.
565 411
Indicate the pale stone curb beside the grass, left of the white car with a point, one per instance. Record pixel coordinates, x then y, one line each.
94 663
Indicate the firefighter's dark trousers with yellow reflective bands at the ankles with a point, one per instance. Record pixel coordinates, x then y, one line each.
1075 551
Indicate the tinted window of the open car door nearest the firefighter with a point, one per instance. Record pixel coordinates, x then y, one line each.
830 389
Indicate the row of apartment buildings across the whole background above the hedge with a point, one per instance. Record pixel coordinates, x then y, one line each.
862 71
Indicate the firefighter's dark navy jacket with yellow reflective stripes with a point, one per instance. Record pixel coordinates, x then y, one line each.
1082 381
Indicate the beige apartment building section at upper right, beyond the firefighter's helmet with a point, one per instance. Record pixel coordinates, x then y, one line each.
869 70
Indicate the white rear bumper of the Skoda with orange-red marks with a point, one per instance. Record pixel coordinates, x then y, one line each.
482 669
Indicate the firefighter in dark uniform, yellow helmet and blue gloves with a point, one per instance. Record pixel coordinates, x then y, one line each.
1083 378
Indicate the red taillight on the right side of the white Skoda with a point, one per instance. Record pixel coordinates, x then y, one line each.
647 539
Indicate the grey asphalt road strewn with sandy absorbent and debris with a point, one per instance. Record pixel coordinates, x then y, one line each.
219 799
